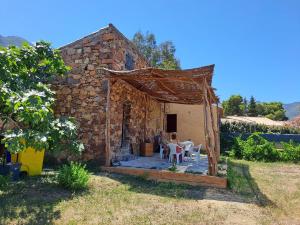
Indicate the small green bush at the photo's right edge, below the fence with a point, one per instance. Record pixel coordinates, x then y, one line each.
291 152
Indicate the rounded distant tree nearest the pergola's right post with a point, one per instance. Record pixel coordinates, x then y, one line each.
233 106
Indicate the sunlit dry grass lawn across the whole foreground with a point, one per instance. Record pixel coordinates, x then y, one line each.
262 193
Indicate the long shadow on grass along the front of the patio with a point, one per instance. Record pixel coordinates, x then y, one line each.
140 184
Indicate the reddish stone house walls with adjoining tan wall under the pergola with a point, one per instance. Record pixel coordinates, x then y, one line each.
83 95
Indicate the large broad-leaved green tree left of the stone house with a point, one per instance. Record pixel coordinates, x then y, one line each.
26 100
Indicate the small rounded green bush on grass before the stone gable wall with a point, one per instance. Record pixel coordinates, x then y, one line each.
73 176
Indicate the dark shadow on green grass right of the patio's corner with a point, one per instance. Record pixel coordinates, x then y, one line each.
240 181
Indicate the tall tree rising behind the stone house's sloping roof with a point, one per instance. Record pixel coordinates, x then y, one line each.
159 56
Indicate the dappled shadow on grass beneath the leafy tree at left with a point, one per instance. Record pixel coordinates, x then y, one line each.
32 201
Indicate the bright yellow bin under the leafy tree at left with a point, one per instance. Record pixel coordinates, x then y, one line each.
31 161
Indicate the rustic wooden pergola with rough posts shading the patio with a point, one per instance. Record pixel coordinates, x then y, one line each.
192 86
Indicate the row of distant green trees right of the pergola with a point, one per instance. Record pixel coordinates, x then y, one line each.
237 105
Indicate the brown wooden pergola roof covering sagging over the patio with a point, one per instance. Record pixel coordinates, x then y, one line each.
170 86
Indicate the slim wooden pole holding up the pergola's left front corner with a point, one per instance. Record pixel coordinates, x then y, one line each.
107 144
